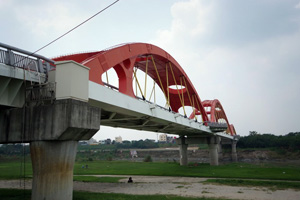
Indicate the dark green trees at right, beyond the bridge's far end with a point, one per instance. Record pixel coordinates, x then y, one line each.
290 141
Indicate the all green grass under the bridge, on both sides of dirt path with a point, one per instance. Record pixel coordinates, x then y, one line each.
233 173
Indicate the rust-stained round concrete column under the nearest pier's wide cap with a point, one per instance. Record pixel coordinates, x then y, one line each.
52 163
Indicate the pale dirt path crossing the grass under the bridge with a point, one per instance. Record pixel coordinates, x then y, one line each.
182 186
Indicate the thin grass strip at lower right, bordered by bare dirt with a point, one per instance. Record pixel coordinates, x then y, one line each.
273 185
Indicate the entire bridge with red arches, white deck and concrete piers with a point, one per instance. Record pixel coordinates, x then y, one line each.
53 103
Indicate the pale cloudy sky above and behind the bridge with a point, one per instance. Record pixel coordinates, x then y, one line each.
244 53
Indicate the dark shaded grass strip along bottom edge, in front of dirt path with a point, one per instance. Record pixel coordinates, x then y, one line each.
13 194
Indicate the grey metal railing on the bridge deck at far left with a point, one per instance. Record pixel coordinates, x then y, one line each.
20 58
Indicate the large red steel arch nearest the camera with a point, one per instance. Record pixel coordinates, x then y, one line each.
124 58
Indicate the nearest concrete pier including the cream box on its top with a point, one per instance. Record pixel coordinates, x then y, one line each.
53 129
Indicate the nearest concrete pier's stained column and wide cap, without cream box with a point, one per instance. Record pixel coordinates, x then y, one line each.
53 131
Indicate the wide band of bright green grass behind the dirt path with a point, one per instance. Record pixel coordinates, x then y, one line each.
12 170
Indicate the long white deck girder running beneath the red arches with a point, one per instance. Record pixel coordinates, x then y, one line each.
123 111
